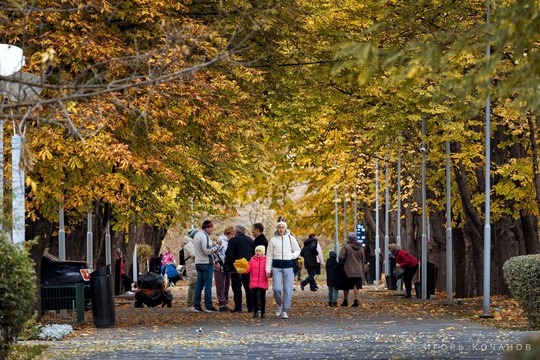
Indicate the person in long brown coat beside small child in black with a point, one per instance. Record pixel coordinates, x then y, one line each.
352 259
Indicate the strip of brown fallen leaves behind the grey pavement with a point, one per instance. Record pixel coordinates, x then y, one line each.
376 301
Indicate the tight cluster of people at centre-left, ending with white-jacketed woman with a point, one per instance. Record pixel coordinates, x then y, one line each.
206 261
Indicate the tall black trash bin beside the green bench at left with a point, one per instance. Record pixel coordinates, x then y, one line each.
103 309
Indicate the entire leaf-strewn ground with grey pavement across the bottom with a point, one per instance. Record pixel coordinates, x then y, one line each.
383 326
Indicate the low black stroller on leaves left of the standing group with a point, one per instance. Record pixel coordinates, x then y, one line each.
151 291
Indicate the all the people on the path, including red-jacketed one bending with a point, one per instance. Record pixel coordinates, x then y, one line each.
266 259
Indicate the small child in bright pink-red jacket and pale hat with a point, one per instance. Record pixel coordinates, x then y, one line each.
258 282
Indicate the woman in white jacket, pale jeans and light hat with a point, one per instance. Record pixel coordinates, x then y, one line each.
282 249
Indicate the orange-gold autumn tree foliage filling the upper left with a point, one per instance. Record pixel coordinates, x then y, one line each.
155 109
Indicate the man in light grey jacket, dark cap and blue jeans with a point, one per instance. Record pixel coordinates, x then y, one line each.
204 264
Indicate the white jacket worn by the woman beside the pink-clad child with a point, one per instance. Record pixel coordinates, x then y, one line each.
280 248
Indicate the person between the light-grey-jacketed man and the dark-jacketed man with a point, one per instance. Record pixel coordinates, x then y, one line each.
221 274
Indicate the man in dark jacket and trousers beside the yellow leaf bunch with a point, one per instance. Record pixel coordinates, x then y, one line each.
240 246
